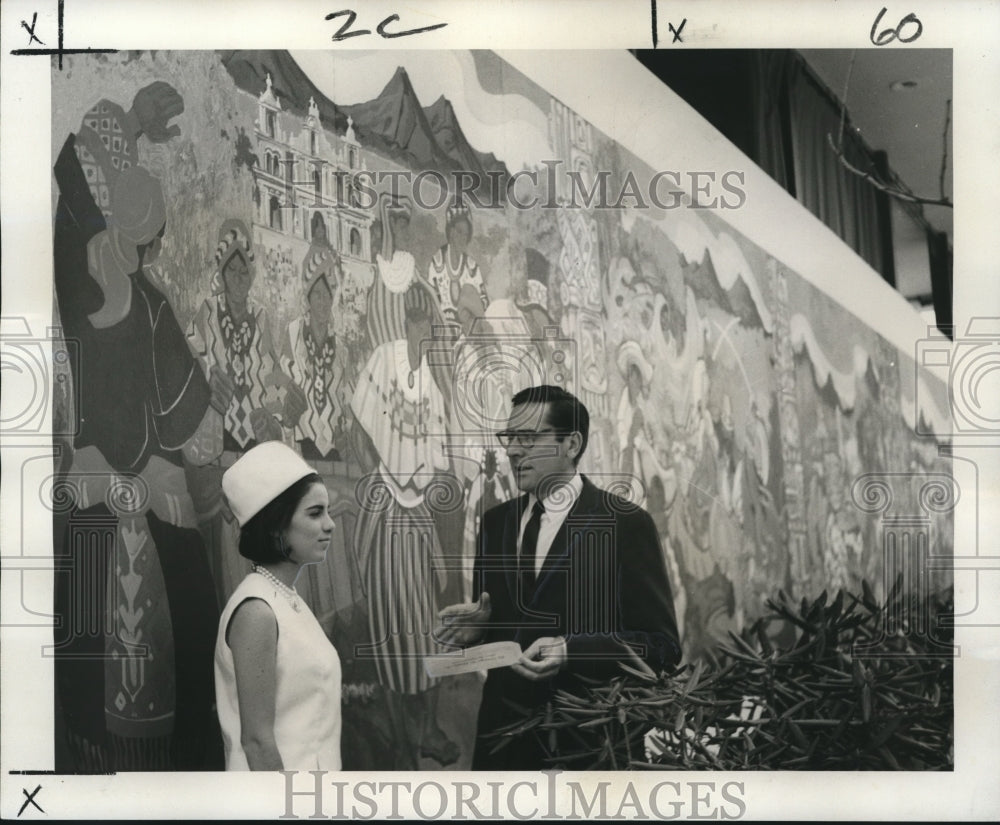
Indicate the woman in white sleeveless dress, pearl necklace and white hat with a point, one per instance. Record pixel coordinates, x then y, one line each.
277 675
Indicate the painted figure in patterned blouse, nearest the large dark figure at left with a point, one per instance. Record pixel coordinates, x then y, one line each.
232 339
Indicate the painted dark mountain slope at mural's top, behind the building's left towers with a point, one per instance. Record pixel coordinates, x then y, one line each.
249 69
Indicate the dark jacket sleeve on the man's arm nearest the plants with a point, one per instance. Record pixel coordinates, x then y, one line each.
643 612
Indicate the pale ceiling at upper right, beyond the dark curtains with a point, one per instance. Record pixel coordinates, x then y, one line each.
907 124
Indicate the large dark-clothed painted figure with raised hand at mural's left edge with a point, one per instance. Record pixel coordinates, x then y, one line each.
137 694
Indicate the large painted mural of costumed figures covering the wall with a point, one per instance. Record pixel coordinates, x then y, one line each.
235 272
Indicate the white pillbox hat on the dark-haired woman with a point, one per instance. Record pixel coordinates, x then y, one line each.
260 476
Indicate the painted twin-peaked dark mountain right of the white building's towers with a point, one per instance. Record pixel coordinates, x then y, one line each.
395 125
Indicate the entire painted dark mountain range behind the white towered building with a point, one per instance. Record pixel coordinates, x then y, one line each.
393 125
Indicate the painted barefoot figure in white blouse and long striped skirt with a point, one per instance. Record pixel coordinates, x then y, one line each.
399 415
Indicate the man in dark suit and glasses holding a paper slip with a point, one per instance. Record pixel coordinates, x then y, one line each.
578 582
